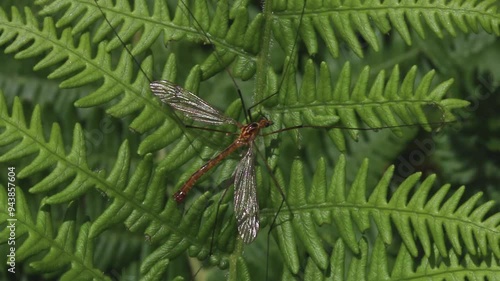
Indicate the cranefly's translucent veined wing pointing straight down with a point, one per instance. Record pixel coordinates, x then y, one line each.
246 206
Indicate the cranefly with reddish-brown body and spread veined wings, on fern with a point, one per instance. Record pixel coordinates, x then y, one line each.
246 207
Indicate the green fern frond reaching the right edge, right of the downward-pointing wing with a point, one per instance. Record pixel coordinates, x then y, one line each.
416 217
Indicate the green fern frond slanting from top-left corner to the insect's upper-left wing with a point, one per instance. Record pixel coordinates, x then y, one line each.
89 69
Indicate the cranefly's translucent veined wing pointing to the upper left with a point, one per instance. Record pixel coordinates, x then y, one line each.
188 103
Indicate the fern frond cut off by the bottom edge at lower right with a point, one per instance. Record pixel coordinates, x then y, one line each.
372 264
